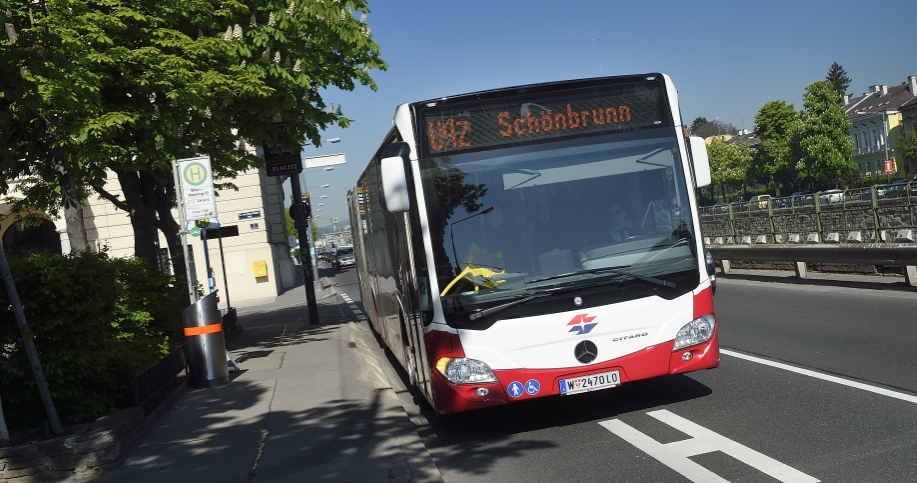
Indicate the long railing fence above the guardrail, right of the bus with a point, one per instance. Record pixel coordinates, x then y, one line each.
876 214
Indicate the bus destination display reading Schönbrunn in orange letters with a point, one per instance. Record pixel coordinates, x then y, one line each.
511 120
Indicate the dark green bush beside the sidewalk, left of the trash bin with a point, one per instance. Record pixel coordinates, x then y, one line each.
96 322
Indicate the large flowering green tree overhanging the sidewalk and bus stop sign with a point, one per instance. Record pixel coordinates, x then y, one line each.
176 79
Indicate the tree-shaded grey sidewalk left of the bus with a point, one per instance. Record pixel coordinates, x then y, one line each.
310 404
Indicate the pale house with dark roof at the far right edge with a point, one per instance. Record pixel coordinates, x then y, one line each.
877 127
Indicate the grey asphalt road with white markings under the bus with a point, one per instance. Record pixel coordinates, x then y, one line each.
816 383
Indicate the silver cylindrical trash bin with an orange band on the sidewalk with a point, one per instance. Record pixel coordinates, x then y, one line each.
205 343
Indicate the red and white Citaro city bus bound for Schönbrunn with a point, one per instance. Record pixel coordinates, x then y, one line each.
535 241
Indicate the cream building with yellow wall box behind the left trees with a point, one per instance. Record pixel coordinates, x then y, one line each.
257 260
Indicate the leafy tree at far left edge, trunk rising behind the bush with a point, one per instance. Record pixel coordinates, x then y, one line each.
43 99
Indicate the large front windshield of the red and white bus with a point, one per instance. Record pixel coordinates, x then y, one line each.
519 220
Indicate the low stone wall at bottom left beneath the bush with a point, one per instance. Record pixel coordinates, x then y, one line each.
87 450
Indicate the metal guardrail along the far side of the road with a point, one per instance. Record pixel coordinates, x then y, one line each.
872 254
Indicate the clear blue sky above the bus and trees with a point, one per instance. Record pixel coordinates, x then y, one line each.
727 59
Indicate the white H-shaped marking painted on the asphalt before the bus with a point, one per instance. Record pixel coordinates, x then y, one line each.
676 455
